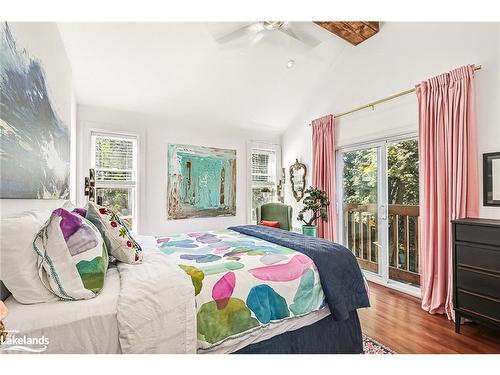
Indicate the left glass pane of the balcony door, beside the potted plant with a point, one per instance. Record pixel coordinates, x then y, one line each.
360 206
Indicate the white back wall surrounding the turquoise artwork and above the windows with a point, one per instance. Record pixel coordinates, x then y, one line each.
154 135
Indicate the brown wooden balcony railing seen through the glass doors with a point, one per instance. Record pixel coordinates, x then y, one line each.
361 234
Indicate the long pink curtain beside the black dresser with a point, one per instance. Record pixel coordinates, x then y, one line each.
448 178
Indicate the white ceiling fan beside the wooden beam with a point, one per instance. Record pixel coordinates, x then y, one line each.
257 30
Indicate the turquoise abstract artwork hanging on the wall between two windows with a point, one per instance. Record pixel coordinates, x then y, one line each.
201 182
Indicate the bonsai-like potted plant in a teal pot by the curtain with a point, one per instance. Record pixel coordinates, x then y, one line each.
315 202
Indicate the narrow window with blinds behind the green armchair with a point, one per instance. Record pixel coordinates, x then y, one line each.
263 176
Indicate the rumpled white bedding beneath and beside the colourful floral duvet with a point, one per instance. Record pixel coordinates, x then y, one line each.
147 308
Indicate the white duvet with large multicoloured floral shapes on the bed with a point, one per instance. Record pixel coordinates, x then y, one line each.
243 283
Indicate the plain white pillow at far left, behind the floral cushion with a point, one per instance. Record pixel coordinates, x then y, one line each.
18 260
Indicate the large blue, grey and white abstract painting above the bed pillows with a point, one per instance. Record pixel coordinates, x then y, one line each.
34 141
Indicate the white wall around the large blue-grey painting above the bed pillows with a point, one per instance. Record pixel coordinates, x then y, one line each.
42 41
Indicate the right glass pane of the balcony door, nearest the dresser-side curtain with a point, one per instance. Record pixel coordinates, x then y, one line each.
402 180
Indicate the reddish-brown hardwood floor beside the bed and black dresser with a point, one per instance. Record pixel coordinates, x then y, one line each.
396 320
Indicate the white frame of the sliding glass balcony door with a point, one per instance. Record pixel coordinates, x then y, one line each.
381 144
